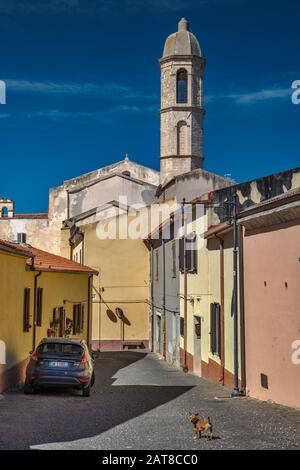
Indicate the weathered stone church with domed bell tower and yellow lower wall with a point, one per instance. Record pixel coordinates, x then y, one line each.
122 310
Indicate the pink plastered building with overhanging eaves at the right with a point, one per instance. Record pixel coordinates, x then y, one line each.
271 247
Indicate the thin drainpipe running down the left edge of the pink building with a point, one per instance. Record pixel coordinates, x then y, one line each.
242 308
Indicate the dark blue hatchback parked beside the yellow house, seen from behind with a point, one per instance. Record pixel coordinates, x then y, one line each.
60 362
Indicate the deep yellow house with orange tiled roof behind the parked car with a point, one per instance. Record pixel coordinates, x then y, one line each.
40 295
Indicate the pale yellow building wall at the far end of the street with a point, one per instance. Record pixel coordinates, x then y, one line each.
121 292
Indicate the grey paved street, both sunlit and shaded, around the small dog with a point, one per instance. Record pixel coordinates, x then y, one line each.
139 402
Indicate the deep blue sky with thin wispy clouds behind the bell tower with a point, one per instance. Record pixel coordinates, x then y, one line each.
83 87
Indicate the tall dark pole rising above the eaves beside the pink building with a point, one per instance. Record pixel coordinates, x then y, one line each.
236 392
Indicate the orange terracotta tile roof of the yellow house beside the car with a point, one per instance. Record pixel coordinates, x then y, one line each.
44 261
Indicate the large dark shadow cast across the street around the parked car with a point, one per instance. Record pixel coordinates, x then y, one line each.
64 416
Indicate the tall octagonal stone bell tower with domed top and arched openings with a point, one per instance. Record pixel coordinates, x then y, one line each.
182 112
